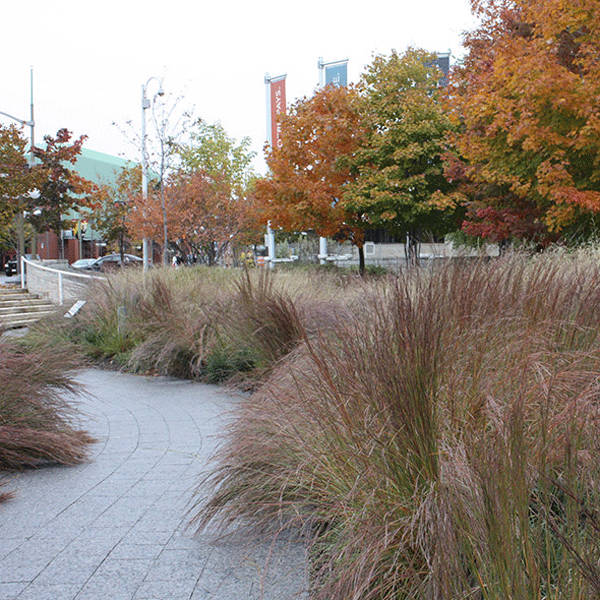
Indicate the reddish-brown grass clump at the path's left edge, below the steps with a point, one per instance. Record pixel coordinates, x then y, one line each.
37 423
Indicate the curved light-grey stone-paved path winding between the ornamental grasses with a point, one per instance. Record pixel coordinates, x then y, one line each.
114 528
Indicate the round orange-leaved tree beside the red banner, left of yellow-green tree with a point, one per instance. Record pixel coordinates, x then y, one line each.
310 170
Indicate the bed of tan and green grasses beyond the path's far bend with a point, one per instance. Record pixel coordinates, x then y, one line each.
210 324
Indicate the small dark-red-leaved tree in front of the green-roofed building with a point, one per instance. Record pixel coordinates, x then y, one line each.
61 188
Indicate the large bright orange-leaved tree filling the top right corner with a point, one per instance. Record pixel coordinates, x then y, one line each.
525 102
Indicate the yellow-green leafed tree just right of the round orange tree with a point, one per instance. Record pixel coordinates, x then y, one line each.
398 167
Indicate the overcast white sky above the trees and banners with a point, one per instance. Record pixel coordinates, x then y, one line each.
91 58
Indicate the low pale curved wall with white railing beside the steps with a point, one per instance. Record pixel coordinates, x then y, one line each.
55 284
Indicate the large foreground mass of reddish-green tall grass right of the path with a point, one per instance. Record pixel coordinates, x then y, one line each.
441 440
